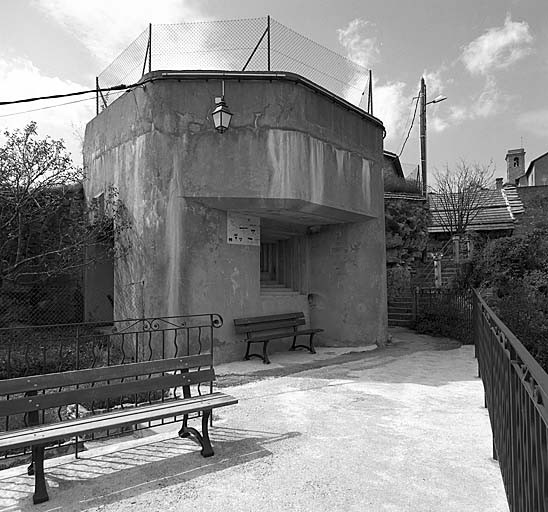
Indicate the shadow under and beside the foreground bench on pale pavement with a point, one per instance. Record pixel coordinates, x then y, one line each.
97 481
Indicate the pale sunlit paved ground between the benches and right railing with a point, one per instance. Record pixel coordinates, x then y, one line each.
401 428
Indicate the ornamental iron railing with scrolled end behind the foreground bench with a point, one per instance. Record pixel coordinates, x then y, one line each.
35 350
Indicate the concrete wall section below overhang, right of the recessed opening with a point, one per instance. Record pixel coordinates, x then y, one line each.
348 284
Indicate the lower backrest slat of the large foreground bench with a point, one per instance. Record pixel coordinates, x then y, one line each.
56 399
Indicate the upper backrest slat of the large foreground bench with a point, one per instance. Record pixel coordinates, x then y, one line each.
86 376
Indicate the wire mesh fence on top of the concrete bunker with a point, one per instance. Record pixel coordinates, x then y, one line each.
257 44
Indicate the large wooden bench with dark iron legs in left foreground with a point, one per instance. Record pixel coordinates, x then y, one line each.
30 395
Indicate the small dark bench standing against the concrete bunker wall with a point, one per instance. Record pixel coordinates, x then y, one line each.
262 329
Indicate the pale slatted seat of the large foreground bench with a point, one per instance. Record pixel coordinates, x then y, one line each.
69 428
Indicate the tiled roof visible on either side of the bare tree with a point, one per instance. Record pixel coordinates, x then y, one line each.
498 210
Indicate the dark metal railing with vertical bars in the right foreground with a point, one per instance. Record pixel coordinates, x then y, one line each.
516 396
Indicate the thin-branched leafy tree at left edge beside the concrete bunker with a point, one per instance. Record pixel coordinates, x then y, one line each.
45 225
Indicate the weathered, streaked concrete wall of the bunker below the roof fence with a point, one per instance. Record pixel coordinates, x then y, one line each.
291 152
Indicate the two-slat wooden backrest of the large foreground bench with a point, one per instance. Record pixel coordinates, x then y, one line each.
46 391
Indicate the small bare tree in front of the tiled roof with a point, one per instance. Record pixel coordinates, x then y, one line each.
462 192
